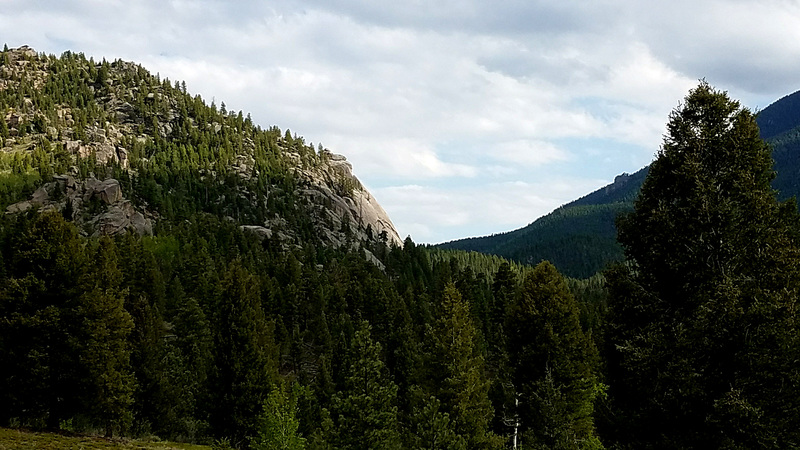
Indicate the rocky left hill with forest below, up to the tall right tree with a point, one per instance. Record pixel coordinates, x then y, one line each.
169 268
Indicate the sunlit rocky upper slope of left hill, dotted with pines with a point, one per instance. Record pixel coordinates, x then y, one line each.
118 115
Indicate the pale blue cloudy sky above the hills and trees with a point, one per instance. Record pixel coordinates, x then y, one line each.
463 118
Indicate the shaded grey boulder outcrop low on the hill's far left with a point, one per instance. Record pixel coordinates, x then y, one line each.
98 207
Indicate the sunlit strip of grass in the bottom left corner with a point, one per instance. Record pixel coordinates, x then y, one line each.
23 439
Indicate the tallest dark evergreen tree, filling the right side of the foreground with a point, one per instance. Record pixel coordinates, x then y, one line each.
704 340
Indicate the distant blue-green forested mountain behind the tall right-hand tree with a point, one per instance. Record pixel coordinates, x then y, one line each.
579 238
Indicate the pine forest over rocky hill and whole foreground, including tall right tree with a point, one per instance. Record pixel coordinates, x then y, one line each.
171 269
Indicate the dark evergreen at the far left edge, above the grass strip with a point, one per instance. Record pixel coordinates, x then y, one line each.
39 311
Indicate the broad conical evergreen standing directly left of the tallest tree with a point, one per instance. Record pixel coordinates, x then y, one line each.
553 364
